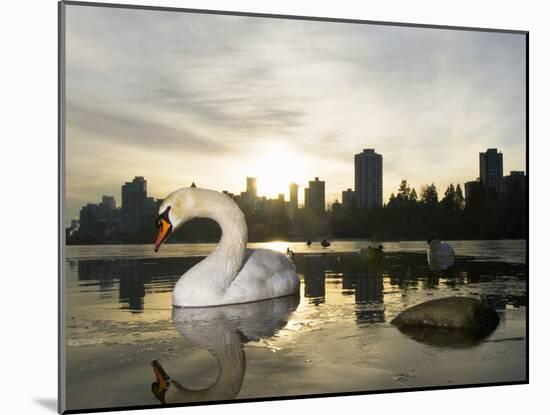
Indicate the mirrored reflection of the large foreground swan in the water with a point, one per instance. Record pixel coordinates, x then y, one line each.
223 331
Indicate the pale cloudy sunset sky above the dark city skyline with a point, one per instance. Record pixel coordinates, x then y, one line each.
179 97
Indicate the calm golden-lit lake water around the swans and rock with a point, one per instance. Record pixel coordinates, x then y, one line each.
336 337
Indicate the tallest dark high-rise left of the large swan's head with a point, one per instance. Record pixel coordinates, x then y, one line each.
134 195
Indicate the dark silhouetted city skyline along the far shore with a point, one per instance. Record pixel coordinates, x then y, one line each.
276 217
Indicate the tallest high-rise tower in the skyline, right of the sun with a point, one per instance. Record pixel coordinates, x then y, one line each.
368 178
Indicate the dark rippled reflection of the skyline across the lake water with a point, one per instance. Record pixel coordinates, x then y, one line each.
132 279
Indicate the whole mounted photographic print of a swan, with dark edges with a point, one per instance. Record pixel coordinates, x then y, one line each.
258 207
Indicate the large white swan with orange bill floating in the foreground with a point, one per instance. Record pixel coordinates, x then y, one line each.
231 274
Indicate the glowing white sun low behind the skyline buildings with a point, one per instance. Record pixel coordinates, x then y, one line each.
275 167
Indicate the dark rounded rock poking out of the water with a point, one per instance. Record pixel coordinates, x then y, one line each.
450 313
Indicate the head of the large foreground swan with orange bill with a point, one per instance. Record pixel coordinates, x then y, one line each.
177 208
